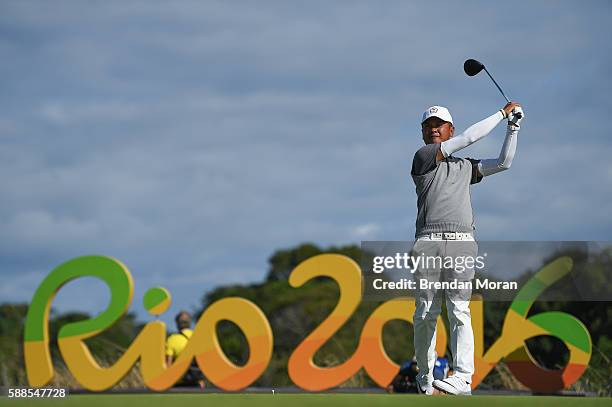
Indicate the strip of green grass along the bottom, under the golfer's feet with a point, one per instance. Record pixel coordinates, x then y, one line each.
298 400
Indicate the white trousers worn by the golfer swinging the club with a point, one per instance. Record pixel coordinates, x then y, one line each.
428 308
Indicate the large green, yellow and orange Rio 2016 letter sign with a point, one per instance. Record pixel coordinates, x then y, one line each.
148 346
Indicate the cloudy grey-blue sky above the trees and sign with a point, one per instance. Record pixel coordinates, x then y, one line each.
192 139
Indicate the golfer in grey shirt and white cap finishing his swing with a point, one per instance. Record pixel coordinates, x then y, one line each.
444 228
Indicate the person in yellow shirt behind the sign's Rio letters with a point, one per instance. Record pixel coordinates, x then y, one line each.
175 345
